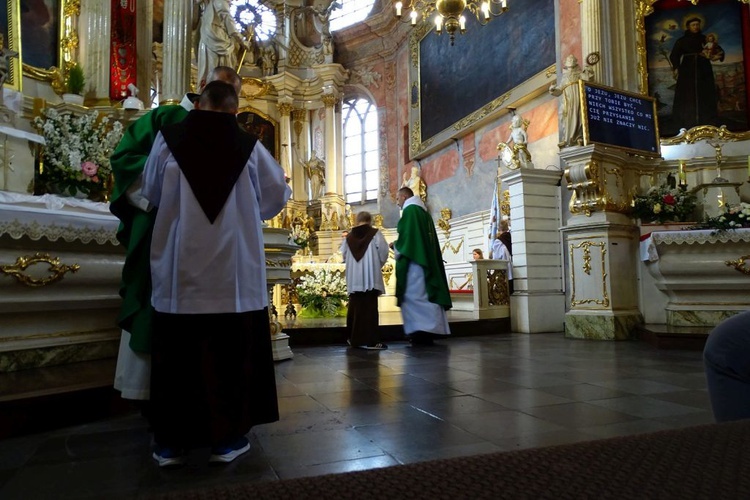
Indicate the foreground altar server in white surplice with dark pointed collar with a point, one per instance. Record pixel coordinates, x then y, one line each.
212 364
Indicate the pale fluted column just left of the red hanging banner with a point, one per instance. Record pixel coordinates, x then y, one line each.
95 39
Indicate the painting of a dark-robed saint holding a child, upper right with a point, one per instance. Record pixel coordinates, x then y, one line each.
696 60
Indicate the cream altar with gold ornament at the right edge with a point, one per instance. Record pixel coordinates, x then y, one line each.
696 277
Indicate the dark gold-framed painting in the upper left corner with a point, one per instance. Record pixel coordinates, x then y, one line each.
40 32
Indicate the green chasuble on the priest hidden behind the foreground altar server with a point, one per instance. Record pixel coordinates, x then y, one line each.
134 232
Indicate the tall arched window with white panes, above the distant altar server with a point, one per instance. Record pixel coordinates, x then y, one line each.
361 150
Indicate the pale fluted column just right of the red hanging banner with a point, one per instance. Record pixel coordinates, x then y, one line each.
177 45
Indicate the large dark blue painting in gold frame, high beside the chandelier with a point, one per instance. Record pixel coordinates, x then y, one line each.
509 56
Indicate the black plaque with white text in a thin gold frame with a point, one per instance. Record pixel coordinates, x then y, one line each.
617 118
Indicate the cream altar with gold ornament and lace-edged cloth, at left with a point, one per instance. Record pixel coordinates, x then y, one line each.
60 266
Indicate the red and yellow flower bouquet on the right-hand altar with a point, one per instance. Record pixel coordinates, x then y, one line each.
664 204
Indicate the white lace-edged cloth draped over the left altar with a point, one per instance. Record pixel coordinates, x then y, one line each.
56 217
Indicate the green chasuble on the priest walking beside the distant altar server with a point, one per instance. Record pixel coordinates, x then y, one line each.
417 242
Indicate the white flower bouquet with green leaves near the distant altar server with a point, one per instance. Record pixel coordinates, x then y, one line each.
322 294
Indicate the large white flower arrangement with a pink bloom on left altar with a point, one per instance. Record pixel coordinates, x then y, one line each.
76 152
